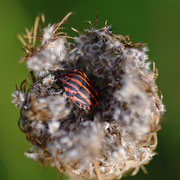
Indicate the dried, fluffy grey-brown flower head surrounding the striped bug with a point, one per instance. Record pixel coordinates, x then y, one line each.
116 137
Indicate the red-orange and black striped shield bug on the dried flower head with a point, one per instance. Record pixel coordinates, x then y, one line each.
79 88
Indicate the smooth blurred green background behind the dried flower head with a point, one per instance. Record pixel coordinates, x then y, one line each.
156 22
